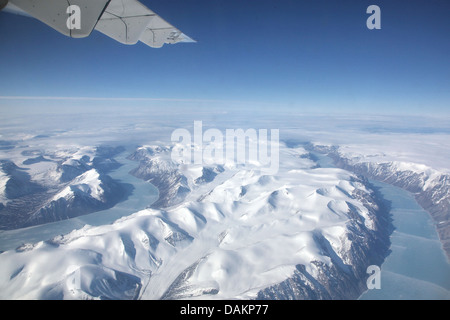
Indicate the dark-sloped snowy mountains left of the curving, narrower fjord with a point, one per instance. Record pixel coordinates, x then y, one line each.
49 186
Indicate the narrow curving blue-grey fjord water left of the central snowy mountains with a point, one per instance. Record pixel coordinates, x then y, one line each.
144 194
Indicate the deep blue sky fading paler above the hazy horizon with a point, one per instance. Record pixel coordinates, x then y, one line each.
313 56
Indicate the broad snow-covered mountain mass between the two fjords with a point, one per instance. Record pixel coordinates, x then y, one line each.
305 232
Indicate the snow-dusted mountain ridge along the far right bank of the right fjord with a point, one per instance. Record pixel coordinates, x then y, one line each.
430 186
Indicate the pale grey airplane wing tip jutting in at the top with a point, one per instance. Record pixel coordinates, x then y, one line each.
126 21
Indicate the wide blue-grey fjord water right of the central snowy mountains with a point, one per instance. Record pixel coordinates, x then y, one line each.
417 267
